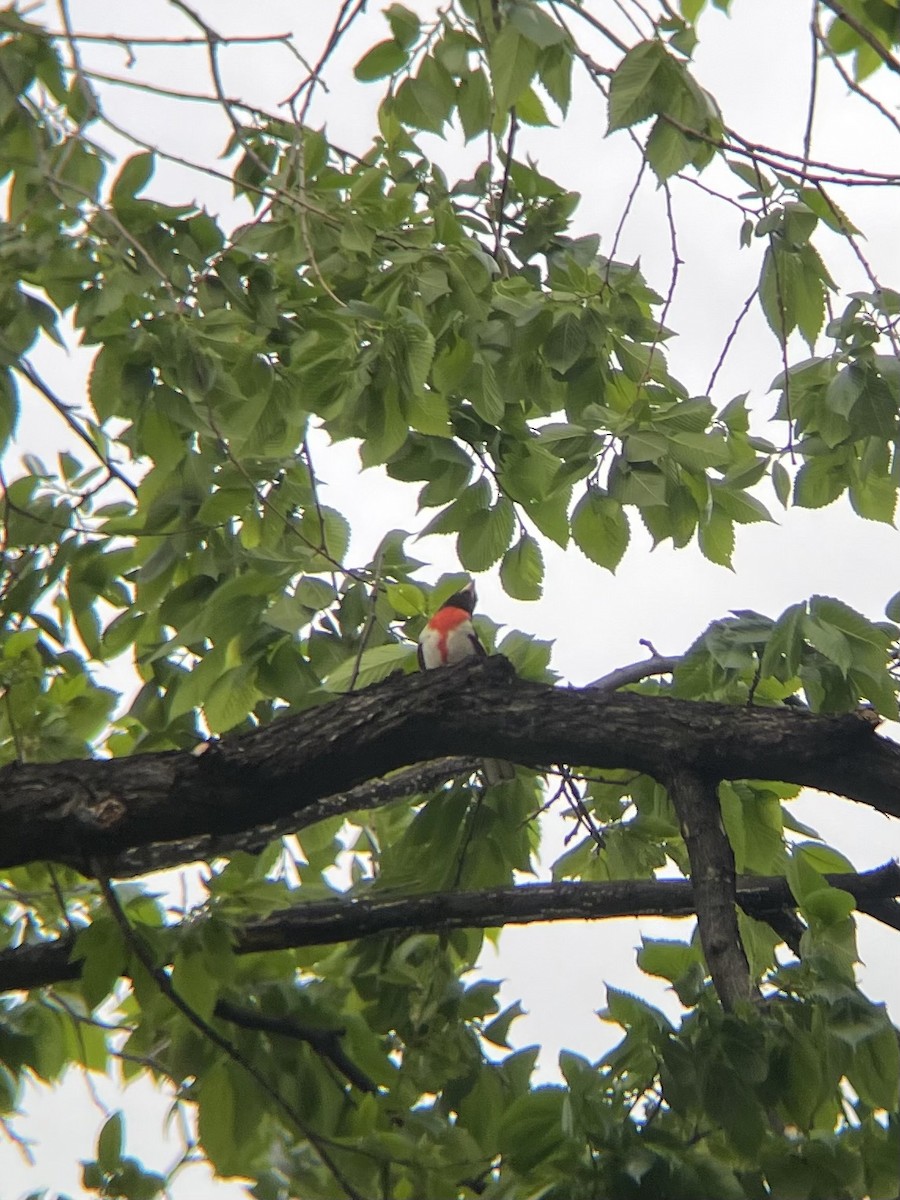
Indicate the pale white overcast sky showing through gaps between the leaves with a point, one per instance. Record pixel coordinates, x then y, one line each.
751 64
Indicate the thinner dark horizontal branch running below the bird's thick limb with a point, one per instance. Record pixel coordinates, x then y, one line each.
323 923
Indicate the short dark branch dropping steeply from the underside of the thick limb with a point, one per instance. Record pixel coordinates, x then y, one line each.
697 802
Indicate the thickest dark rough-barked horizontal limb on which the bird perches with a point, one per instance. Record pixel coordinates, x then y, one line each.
74 812
